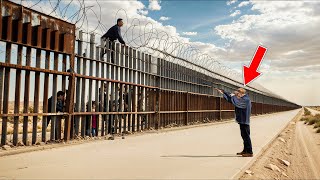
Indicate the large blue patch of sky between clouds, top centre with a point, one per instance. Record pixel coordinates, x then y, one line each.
197 16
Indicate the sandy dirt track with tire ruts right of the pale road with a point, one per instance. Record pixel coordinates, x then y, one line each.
301 149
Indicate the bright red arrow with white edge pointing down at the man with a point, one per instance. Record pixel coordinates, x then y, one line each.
250 73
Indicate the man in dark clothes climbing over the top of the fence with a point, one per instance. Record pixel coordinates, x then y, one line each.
113 34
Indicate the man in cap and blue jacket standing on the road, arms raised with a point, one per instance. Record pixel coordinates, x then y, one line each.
242 105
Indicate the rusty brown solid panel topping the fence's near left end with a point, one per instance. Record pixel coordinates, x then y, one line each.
33 28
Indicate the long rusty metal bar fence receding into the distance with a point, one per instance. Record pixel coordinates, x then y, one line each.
131 90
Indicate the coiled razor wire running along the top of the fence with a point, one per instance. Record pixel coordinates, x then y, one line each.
143 36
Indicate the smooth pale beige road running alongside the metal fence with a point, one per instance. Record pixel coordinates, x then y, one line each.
198 153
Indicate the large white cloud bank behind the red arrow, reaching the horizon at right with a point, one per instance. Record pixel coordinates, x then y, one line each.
290 32
